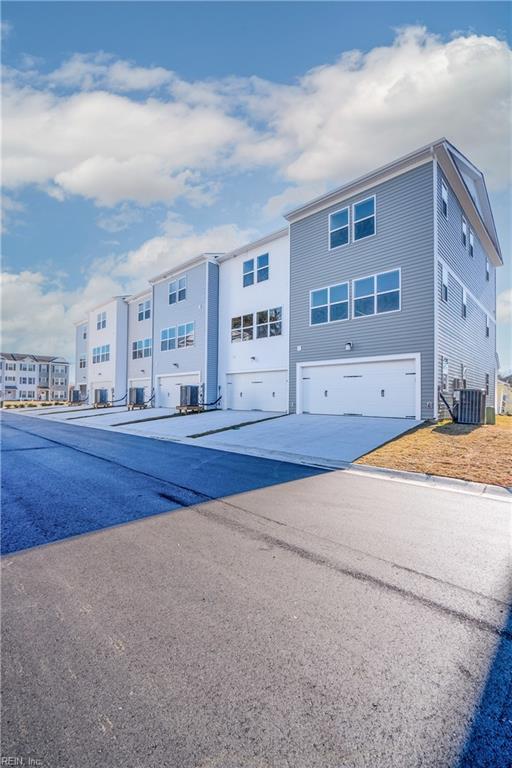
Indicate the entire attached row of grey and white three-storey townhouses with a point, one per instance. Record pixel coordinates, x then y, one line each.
376 298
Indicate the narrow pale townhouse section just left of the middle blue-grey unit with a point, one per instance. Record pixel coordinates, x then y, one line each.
140 342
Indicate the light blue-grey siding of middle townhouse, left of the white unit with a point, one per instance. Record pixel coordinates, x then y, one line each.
192 309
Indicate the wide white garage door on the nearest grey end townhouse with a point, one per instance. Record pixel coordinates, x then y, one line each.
380 388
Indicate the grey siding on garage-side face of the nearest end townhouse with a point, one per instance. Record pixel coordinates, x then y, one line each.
405 240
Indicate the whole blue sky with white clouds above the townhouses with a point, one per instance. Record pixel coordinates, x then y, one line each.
139 134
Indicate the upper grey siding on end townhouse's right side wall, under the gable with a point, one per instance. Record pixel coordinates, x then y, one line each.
470 270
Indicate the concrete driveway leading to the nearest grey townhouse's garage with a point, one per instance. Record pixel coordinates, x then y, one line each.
334 440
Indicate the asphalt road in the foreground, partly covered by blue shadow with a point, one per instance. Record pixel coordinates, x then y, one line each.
274 617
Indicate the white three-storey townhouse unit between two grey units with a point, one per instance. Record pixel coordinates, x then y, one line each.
254 324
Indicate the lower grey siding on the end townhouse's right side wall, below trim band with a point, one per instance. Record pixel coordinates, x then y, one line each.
463 340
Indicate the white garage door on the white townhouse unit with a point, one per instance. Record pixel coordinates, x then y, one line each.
265 391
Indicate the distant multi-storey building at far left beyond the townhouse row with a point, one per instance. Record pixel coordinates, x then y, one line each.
33 377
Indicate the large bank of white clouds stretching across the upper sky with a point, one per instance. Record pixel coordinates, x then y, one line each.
335 123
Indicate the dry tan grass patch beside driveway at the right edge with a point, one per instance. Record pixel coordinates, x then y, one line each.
481 454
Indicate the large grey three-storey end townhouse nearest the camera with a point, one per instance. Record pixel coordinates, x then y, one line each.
378 271
